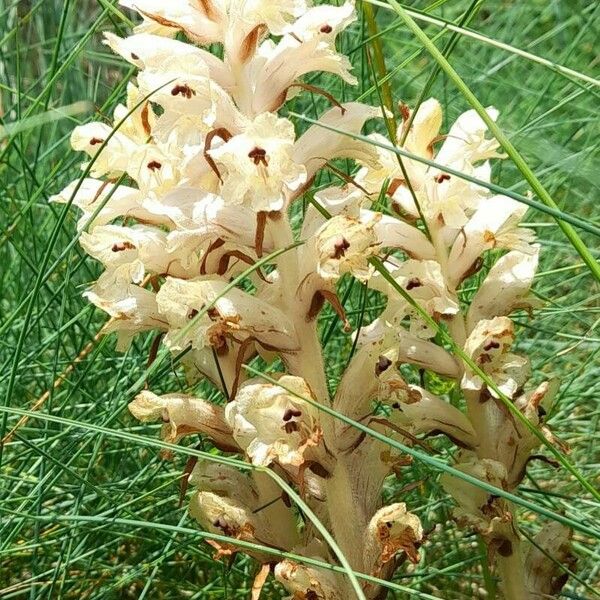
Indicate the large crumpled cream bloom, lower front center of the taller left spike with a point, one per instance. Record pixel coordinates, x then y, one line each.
272 424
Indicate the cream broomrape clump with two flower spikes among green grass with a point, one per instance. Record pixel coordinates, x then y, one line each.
209 172
